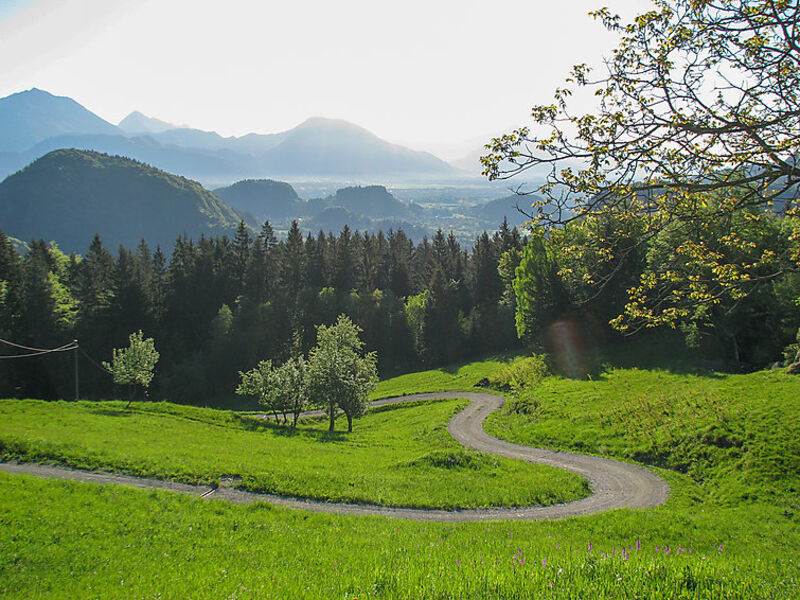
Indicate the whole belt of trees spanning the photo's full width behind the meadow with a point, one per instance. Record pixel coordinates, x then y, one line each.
217 306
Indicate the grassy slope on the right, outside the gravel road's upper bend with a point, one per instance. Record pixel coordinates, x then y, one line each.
737 435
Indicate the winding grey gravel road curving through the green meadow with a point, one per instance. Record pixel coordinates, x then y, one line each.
614 484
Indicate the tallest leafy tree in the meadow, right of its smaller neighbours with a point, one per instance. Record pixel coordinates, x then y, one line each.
340 376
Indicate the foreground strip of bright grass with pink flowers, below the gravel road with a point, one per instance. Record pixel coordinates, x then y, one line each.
71 540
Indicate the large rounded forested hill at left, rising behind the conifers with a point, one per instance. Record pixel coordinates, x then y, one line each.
68 195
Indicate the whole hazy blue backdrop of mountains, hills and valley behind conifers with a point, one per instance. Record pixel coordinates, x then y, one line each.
71 174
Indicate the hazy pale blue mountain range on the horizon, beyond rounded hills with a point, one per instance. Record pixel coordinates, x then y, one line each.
36 122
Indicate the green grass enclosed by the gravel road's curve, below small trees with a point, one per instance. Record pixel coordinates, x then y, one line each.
399 456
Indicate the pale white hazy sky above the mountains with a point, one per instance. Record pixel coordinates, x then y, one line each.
427 73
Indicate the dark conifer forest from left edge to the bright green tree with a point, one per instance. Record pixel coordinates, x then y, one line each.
217 306
